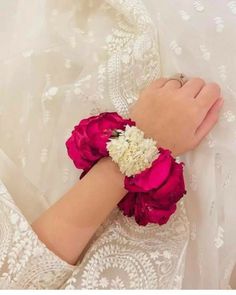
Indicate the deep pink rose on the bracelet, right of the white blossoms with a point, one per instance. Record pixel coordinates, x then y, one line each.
153 193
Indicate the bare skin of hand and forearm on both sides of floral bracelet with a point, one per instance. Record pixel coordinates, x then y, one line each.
178 118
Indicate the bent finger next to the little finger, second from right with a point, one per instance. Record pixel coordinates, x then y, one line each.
208 96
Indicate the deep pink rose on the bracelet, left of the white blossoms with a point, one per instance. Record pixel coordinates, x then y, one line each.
87 143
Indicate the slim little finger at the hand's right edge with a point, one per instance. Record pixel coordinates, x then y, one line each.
210 120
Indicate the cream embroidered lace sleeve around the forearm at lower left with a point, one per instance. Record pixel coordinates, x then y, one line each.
25 262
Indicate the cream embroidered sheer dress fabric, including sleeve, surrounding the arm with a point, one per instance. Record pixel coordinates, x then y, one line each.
61 61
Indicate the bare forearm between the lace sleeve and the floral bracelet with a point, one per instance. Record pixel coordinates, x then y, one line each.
69 224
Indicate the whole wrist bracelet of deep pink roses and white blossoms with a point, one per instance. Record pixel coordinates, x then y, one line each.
153 178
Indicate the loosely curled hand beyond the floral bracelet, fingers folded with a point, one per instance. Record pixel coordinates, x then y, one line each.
178 118
